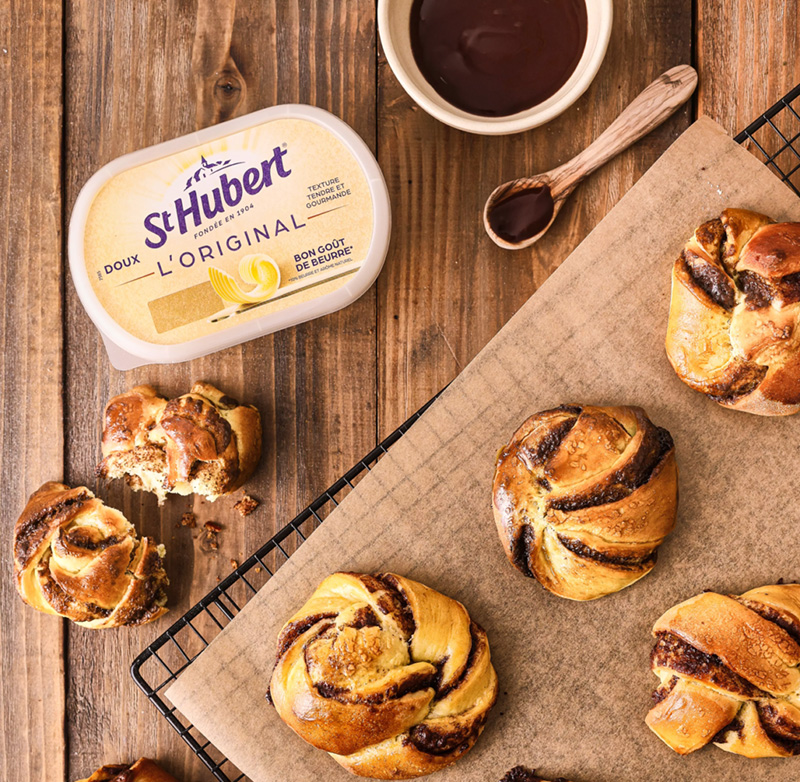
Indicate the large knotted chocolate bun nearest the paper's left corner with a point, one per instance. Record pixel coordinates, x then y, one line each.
390 677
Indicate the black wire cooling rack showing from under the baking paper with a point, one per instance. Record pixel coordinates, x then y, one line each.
774 136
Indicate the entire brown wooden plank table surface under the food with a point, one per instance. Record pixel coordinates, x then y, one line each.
84 81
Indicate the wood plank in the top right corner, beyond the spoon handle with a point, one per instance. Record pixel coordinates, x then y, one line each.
748 56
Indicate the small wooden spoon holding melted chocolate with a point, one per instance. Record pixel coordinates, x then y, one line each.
532 203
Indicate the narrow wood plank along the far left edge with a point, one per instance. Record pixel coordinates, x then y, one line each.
31 442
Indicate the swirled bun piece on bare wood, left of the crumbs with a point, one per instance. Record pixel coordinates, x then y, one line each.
75 557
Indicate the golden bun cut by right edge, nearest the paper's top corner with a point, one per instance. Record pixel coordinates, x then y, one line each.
733 322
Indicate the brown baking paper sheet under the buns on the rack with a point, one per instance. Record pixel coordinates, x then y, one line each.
575 682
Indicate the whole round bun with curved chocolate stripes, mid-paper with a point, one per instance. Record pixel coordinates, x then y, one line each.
584 496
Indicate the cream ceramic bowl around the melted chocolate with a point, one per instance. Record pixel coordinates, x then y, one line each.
394 24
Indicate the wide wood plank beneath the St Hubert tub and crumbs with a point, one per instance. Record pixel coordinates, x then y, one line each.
138 75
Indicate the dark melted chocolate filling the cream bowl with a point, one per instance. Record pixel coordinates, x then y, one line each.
494 58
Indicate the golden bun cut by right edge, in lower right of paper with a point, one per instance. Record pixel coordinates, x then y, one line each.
730 673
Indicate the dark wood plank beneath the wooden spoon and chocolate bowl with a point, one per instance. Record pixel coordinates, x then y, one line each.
447 289
